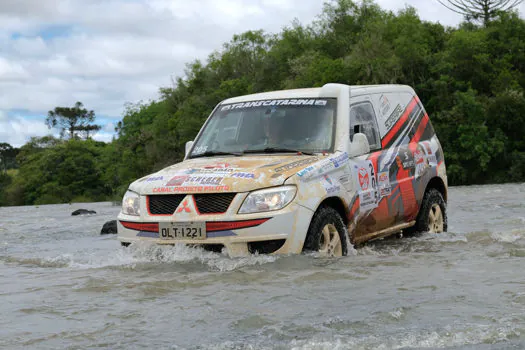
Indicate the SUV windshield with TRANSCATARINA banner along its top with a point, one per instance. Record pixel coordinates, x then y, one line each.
303 125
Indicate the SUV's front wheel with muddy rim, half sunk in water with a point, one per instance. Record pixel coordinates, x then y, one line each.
327 233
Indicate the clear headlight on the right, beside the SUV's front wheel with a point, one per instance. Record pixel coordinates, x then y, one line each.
268 199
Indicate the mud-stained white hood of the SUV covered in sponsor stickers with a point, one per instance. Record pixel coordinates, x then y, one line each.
223 174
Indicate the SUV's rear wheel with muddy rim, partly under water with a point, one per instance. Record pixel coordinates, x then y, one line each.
432 216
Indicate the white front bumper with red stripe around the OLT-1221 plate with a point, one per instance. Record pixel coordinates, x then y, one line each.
234 232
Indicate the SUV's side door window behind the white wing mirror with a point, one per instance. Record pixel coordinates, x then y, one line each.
363 120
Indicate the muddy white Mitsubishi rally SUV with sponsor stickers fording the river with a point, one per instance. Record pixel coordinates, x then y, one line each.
297 170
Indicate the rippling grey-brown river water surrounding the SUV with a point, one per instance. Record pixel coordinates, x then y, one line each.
62 285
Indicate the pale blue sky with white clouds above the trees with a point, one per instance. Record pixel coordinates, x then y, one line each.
106 53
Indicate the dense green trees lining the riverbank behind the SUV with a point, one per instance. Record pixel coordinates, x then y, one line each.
471 79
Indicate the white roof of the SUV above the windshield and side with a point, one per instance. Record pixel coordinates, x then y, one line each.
356 90
